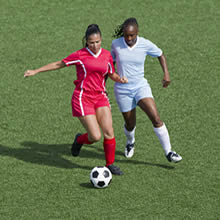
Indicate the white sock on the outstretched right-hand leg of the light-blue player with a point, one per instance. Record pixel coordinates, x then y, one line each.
163 135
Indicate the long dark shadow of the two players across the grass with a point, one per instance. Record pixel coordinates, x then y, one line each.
53 155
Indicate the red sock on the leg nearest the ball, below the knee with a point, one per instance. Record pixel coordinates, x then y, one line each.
109 148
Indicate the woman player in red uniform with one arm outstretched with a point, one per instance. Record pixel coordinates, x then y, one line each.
90 103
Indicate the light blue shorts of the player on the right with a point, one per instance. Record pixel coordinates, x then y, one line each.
128 99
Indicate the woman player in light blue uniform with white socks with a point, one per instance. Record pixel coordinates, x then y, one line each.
129 52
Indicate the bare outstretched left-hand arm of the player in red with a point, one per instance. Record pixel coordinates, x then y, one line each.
48 67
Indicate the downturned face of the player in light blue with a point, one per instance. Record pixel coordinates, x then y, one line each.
130 35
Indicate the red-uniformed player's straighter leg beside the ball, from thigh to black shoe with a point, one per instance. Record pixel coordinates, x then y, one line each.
104 118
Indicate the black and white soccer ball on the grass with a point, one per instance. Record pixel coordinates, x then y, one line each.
100 177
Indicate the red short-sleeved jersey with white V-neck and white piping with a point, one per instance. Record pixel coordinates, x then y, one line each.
91 69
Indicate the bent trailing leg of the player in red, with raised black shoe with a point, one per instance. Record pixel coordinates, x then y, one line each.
93 134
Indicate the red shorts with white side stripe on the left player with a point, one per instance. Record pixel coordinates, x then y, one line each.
86 104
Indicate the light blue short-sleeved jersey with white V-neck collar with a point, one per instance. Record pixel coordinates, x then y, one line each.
130 60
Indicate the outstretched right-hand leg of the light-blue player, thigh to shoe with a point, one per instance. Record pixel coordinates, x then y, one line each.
149 107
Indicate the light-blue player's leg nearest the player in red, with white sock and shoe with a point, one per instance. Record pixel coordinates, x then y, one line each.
129 130
